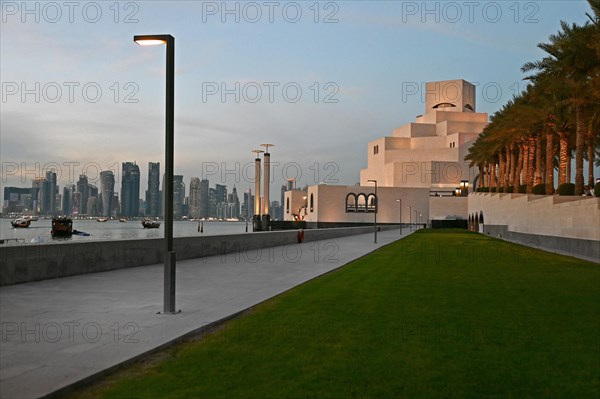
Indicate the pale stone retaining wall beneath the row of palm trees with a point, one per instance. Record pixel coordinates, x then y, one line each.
585 249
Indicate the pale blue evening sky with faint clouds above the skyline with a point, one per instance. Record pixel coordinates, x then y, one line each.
319 80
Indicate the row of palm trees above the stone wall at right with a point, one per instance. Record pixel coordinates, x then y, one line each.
557 114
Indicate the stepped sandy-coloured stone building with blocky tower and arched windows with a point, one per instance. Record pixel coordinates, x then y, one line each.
421 163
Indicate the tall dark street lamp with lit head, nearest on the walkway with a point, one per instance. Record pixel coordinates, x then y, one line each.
169 254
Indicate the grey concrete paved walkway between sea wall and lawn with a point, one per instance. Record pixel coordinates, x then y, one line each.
55 333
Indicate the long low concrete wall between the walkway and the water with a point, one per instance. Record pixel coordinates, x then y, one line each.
33 262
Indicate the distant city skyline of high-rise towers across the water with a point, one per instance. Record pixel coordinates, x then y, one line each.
200 201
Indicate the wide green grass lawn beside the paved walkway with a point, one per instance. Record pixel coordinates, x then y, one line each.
447 314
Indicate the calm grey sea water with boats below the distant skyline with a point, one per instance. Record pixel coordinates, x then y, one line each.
114 230
